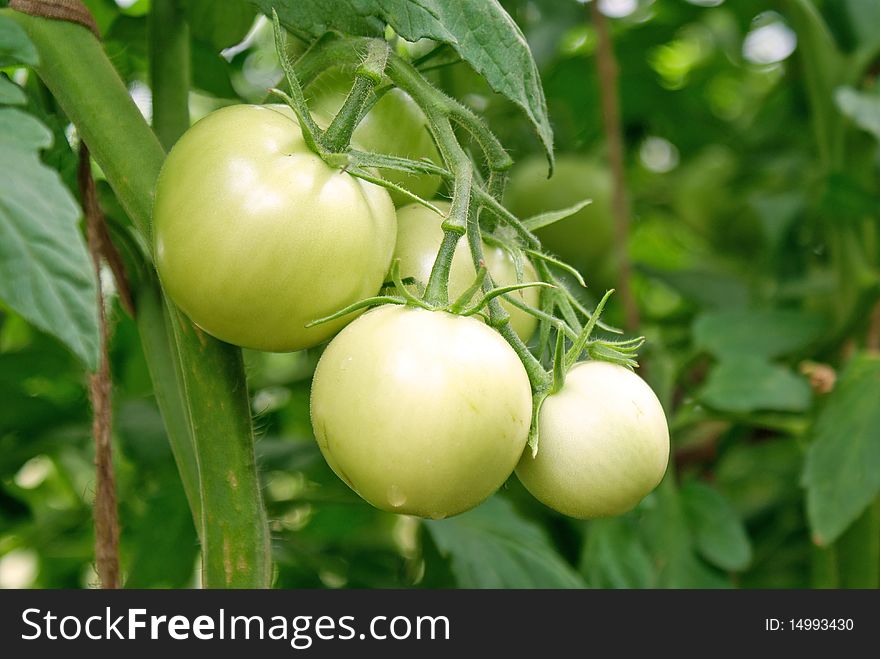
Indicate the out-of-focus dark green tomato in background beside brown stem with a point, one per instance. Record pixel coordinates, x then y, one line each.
585 239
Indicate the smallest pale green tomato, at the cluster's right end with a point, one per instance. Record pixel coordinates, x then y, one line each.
603 443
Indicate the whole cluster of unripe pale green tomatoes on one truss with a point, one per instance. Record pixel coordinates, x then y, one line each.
419 411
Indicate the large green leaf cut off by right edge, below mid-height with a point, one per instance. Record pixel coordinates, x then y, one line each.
842 468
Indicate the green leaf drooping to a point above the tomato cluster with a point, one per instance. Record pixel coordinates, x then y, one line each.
482 33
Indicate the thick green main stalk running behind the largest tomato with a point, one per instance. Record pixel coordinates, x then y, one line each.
203 393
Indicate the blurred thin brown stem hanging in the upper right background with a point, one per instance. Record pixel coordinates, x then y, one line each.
606 64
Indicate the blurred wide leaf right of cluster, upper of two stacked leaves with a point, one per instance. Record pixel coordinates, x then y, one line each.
769 333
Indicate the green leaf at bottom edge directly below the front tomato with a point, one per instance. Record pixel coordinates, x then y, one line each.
491 546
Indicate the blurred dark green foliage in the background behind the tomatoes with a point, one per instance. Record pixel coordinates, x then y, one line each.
756 255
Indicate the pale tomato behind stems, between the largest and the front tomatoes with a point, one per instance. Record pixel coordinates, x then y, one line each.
419 234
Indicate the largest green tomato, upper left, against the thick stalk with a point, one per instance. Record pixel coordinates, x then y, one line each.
255 235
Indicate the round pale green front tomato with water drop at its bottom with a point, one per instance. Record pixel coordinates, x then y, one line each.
421 412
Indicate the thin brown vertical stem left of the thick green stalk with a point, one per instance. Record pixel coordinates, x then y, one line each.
106 518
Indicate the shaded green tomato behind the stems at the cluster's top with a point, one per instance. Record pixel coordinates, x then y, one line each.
395 125
